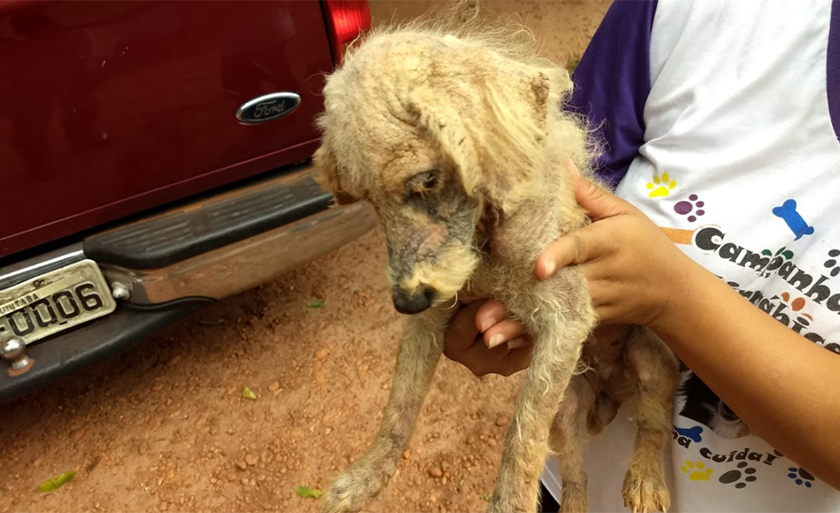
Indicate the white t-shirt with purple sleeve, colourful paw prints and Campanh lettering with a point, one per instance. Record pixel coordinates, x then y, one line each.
730 145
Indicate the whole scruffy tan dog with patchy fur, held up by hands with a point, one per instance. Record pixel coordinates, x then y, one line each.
457 138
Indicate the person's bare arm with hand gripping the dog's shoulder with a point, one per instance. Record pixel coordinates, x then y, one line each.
768 374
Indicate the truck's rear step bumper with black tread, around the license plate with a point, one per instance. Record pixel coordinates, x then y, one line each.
240 254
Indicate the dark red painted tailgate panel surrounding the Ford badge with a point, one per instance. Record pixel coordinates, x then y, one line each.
111 108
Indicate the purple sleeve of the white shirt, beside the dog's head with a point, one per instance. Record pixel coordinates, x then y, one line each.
612 83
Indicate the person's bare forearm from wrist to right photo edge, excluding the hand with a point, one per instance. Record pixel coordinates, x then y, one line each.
783 386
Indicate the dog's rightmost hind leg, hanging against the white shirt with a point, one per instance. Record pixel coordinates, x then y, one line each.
656 375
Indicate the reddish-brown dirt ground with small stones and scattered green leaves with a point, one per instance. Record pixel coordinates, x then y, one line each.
164 427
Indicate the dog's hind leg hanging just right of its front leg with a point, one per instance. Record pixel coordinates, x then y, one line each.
565 440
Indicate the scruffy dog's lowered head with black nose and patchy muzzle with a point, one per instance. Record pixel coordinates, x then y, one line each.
435 131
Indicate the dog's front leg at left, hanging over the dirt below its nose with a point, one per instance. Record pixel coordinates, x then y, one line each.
420 350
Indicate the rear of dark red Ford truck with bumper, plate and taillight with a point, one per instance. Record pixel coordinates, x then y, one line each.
154 158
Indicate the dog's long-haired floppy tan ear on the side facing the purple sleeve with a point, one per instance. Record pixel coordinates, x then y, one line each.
493 126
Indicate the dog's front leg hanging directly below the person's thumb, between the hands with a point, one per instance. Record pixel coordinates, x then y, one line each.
558 330
